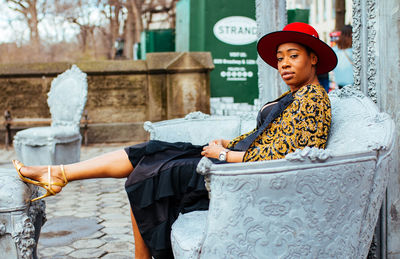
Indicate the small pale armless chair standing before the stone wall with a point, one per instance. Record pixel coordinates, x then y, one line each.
60 143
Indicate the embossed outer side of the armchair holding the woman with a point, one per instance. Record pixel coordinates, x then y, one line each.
288 208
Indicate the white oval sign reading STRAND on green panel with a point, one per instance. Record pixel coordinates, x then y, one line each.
236 30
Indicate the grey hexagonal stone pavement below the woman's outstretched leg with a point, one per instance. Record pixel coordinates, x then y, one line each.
89 218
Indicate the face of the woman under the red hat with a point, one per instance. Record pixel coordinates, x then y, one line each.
296 66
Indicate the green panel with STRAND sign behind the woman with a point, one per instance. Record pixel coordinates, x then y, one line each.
226 28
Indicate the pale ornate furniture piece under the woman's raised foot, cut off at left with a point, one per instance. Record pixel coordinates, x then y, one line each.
20 220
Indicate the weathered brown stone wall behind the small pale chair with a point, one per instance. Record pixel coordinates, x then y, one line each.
121 94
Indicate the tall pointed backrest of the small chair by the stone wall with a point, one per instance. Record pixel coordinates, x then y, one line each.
67 97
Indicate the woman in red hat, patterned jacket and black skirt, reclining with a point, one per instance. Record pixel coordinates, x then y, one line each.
161 177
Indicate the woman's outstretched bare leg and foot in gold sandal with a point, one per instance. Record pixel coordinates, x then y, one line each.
113 165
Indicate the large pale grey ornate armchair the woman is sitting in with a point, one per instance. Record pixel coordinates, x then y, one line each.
312 204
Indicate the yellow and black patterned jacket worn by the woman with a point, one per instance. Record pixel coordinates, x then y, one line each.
305 122
